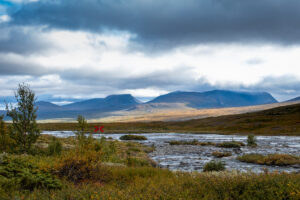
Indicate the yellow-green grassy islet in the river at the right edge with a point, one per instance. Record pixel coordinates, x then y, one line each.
271 159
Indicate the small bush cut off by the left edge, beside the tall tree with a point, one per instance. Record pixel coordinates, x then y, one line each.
6 142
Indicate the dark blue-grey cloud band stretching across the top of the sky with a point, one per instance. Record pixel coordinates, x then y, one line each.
173 22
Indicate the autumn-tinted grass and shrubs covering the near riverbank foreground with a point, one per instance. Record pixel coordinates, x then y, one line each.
121 170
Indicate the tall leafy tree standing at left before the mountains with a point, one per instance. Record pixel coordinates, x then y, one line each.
24 127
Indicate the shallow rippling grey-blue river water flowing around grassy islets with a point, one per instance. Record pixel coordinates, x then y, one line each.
193 158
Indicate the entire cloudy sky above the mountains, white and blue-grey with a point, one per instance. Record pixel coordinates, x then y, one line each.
68 50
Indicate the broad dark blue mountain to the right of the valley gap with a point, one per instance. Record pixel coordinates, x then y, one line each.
216 99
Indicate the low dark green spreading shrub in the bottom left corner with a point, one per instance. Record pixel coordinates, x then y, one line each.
18 173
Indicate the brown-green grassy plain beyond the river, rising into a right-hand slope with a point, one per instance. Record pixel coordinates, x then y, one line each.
283 120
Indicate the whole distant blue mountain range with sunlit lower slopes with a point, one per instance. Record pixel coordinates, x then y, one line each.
114 104
